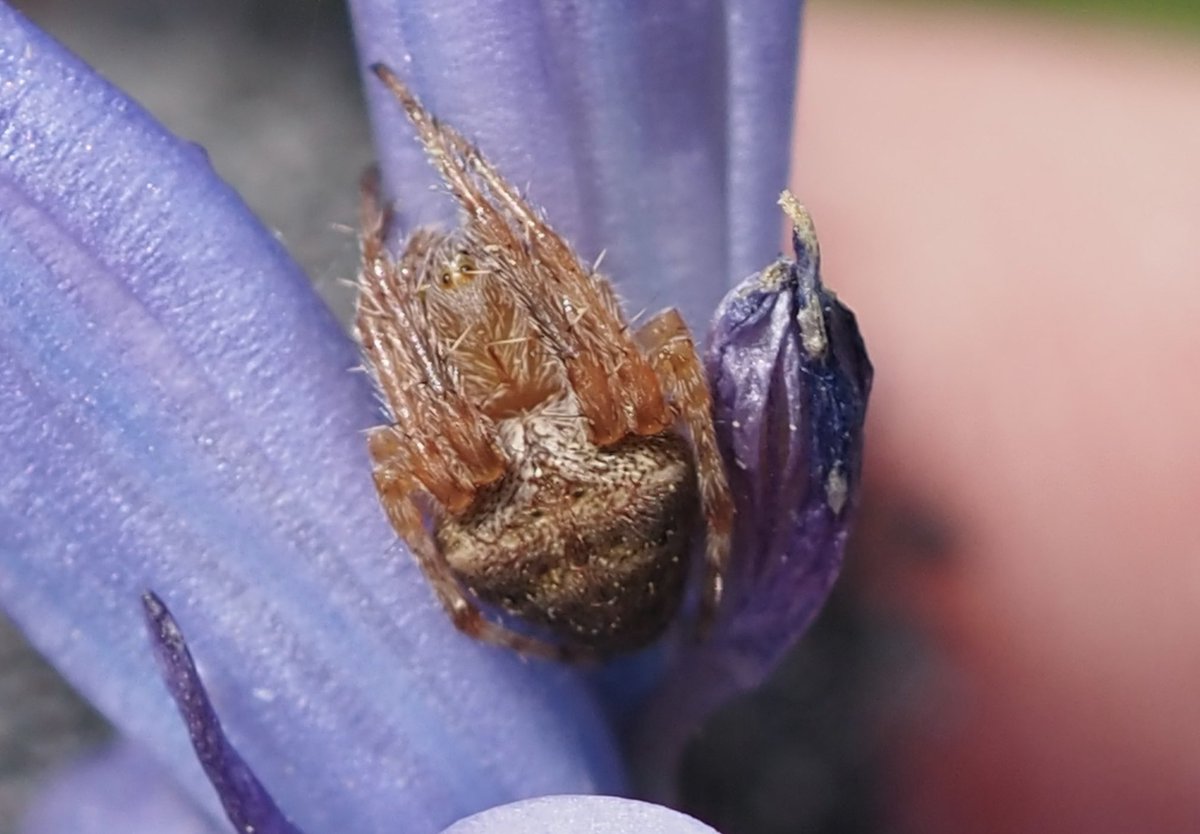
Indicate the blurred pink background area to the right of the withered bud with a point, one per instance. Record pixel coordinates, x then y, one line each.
1012 205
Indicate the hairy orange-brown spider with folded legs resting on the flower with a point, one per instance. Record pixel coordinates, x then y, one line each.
565 459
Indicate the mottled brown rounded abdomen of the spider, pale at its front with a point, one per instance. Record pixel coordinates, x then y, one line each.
591 544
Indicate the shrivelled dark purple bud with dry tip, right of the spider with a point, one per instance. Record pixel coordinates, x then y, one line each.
790 381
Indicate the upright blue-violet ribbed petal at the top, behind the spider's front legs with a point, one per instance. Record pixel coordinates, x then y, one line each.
658 134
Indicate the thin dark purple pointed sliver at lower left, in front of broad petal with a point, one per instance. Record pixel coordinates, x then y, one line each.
247 803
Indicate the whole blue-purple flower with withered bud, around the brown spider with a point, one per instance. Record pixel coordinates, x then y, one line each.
179 417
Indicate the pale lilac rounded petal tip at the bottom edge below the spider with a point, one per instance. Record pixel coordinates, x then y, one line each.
593 815
